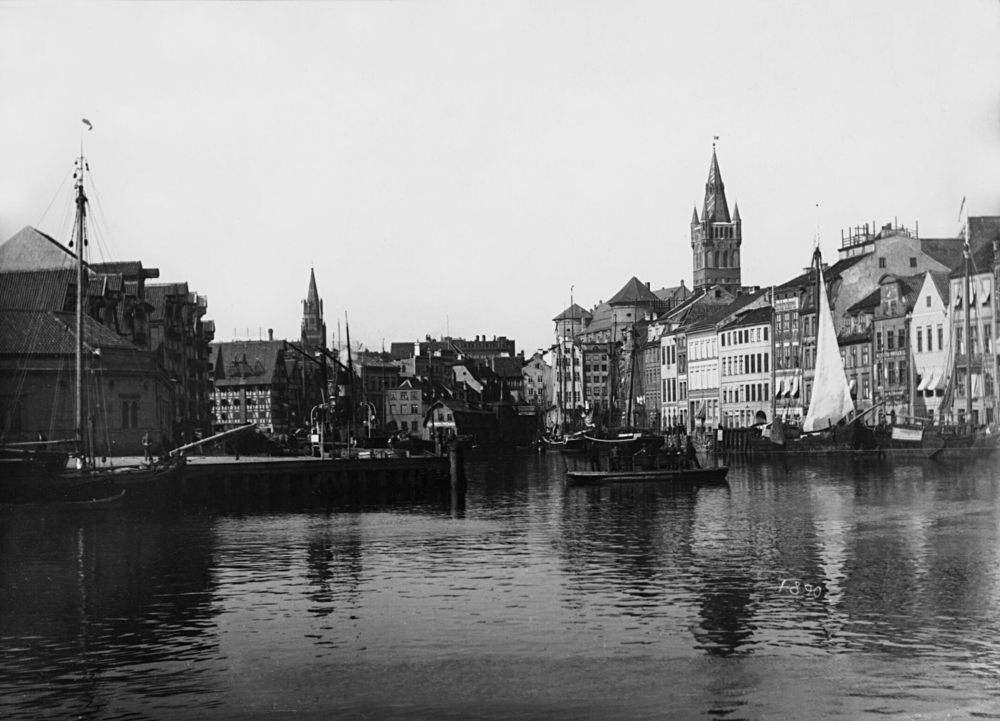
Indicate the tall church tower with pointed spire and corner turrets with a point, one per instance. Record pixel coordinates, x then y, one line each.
716 237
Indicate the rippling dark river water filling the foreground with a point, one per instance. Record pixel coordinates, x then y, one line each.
801 589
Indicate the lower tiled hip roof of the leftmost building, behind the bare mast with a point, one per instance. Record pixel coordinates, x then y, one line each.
52 333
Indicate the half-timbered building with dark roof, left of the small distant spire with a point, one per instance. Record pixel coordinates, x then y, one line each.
251 385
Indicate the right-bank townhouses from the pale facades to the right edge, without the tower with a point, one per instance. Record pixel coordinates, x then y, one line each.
916 345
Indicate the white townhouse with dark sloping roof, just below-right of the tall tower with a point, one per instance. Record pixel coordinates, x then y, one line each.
746 368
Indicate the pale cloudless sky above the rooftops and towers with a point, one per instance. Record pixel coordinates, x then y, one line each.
468 168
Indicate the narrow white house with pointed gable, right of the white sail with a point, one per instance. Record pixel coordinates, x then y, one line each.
930 345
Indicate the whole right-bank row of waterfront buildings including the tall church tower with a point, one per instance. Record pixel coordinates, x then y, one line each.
731 355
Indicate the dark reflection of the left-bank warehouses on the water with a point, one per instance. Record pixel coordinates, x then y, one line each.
94 604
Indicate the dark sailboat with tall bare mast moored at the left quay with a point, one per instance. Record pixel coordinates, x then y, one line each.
31 474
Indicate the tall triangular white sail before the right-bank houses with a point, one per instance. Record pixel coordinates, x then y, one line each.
831 396
